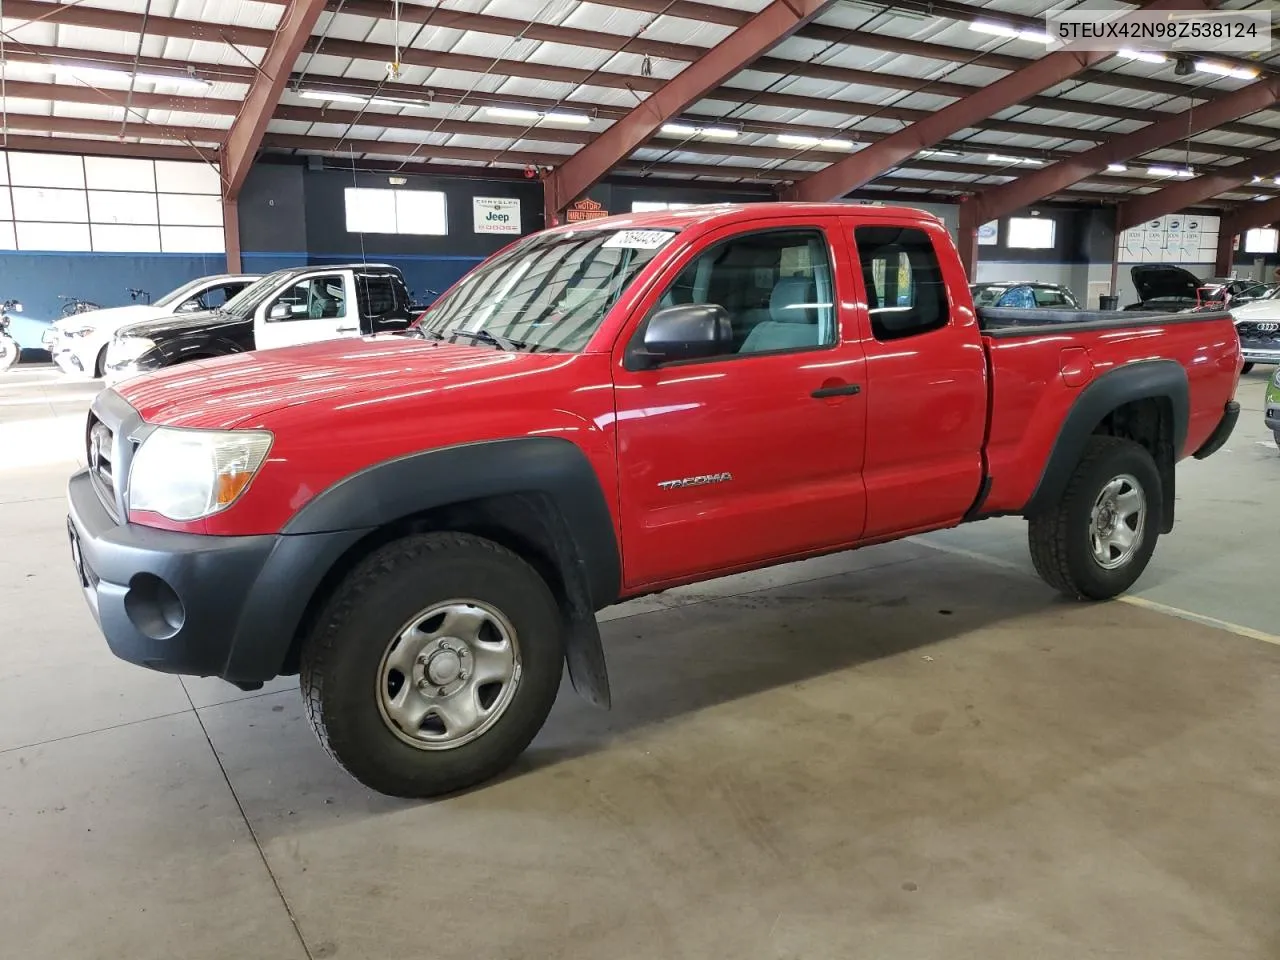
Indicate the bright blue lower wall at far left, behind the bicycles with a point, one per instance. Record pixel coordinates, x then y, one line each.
36 280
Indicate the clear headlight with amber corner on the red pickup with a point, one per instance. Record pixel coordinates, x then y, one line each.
193 474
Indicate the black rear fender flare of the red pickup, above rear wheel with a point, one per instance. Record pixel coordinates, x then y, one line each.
1148 380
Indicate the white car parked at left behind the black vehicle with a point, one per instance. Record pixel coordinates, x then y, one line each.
79 344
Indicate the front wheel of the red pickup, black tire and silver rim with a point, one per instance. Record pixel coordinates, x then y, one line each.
435 665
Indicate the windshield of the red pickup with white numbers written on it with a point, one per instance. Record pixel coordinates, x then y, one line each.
548 294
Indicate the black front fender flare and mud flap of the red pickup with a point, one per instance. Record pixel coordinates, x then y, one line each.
545 484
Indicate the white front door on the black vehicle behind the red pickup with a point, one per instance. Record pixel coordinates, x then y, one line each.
312 309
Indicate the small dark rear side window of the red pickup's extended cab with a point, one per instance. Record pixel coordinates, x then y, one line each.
906 295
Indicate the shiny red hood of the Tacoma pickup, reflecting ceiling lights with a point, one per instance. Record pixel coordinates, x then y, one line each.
228 391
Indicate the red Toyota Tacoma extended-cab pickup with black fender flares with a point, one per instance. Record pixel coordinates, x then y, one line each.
426 525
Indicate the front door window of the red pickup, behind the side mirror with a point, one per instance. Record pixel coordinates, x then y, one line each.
776 286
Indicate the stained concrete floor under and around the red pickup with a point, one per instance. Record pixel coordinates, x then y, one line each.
897 753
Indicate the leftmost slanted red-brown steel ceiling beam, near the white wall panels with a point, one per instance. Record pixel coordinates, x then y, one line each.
264 94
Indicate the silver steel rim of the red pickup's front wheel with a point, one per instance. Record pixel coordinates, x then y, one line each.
449 675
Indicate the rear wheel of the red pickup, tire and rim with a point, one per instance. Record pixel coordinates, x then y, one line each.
1100 537
